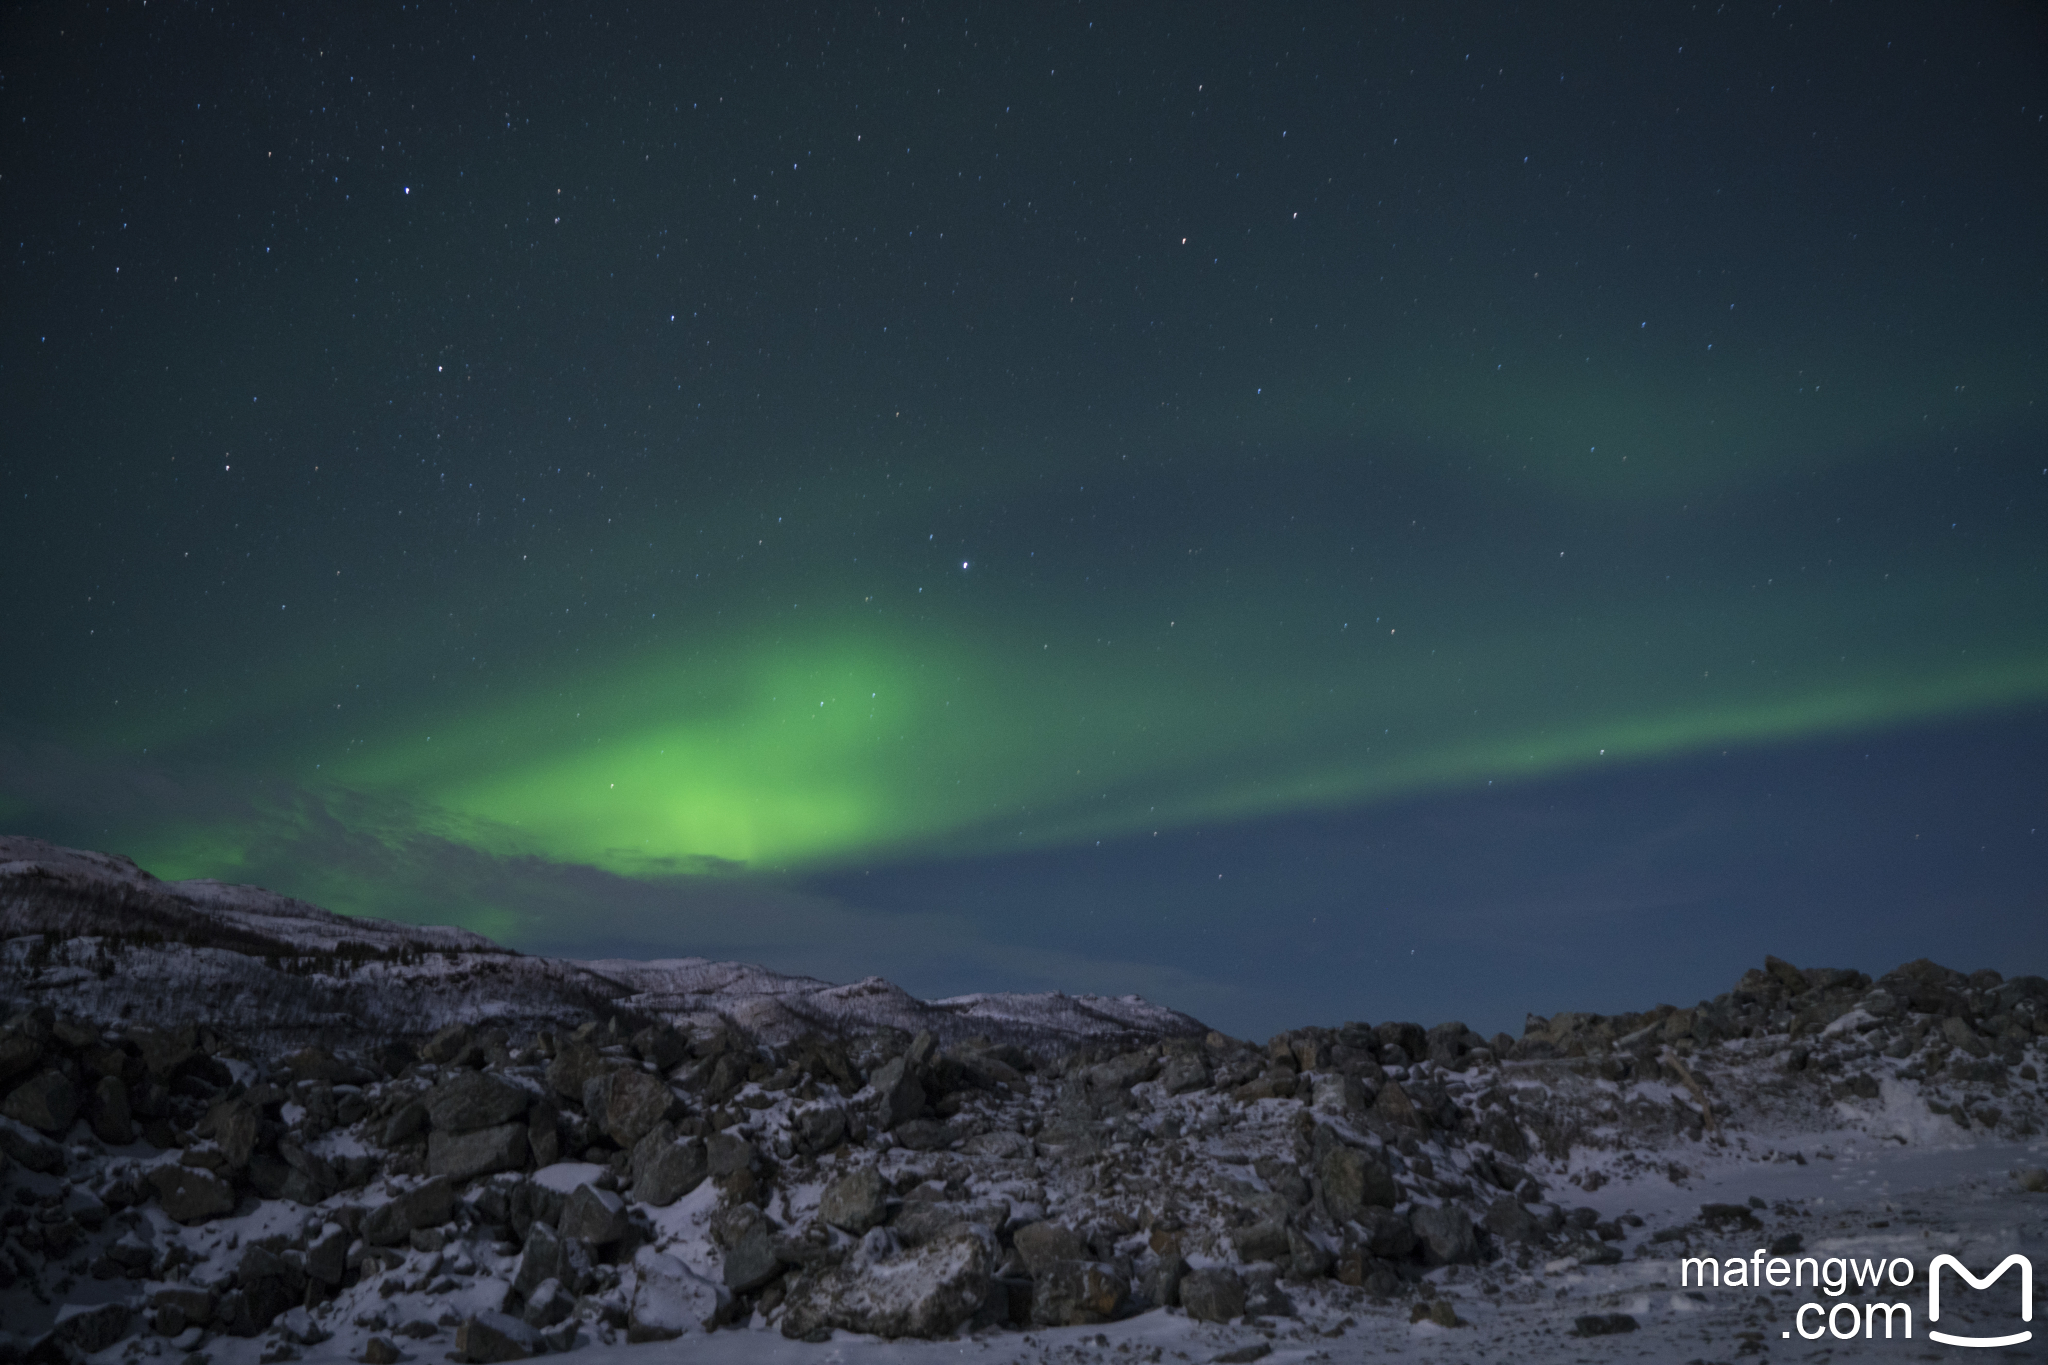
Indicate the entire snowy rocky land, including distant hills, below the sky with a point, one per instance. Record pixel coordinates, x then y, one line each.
237 1129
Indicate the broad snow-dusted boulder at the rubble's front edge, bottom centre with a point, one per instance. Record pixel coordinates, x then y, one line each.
929 1292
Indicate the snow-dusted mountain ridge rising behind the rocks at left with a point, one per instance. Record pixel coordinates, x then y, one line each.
280 969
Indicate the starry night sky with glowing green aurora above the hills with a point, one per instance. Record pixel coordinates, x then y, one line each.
1308 515
